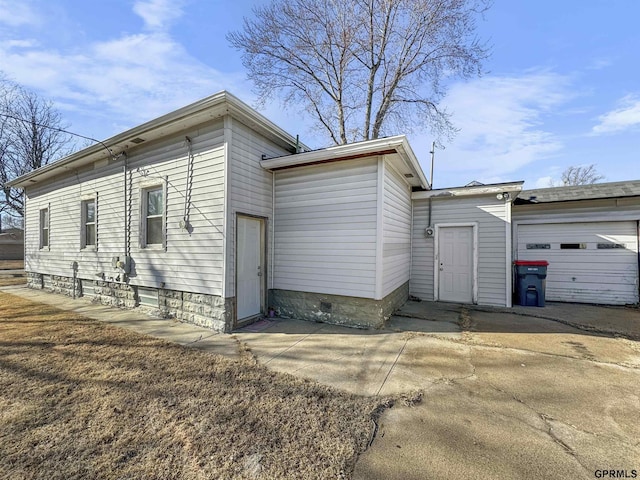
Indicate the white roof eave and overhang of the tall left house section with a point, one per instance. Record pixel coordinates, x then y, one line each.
207 109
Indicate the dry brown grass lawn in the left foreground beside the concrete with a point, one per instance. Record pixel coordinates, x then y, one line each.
80 399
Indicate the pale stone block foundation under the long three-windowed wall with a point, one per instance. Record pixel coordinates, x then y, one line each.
210 311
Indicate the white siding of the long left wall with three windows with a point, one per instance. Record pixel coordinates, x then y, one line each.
192 261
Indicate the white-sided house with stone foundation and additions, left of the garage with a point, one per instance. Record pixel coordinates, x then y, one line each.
213 215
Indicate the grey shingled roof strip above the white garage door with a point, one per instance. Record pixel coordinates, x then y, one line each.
580 192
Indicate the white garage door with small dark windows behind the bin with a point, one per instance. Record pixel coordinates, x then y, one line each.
595 262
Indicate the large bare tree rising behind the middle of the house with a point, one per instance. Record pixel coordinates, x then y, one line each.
363 68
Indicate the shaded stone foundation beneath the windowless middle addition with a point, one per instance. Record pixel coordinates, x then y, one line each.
338 309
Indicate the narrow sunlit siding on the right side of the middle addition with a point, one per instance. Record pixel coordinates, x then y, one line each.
396 231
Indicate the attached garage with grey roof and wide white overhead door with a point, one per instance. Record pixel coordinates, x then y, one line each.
589 236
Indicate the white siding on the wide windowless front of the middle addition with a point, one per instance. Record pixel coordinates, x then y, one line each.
325 228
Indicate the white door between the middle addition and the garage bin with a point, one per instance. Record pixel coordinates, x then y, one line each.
455 264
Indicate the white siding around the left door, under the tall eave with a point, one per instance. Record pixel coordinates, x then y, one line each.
250 188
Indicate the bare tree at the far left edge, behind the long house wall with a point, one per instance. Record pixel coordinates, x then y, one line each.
31 136
